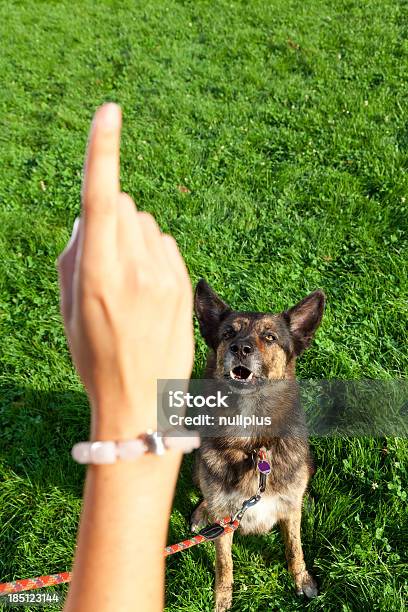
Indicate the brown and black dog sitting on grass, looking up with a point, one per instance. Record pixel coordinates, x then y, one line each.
250 348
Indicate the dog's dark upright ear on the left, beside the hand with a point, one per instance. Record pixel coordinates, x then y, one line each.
209 309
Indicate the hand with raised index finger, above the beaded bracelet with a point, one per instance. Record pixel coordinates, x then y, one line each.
126 296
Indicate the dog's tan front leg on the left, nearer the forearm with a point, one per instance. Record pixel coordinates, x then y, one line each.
223 573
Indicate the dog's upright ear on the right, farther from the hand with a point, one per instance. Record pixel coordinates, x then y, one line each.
304 318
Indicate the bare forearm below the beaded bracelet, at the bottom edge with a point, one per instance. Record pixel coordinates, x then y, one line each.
122 534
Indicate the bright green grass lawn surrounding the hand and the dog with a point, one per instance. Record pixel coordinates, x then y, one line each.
287 122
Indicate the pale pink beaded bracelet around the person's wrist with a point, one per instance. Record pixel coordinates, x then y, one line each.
108 451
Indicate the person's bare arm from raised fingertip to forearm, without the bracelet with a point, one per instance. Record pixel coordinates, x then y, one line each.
126 301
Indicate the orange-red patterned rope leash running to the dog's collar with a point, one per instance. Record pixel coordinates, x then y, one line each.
211 532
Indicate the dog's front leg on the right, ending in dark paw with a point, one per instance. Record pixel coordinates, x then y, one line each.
305 583
